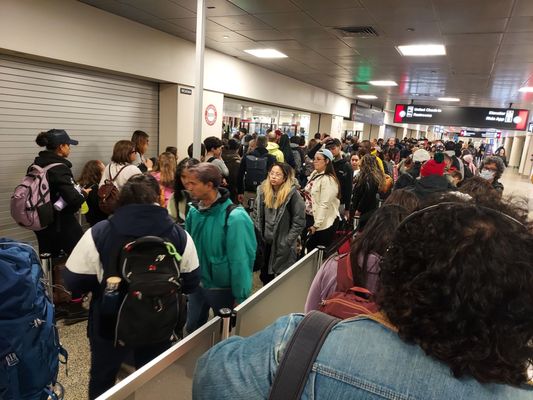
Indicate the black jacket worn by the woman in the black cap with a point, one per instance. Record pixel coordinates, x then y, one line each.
61 181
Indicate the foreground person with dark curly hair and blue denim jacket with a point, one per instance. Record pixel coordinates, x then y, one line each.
457 322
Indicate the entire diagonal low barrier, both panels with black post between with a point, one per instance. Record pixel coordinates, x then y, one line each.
169 376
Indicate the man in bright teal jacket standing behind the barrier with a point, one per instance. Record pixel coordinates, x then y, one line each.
226 251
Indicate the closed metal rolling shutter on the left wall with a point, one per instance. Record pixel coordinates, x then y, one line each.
95 108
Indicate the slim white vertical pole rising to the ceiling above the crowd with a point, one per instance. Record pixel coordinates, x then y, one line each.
199 78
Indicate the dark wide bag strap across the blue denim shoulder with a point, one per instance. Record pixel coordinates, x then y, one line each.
301 353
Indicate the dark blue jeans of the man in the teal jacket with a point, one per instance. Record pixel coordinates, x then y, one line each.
202 300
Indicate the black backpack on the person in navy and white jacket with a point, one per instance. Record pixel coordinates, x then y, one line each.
151 307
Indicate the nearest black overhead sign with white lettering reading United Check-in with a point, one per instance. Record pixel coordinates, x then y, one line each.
479 117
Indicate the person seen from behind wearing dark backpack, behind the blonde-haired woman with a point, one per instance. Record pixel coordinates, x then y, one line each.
253 170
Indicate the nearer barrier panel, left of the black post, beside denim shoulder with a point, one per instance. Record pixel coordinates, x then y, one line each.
169 376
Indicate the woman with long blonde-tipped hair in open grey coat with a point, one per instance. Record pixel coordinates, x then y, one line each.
279 214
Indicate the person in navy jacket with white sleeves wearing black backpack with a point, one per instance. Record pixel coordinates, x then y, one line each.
137 265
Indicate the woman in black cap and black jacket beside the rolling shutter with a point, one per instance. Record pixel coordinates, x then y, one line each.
65 231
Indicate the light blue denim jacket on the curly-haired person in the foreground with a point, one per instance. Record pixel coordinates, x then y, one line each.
360 359
